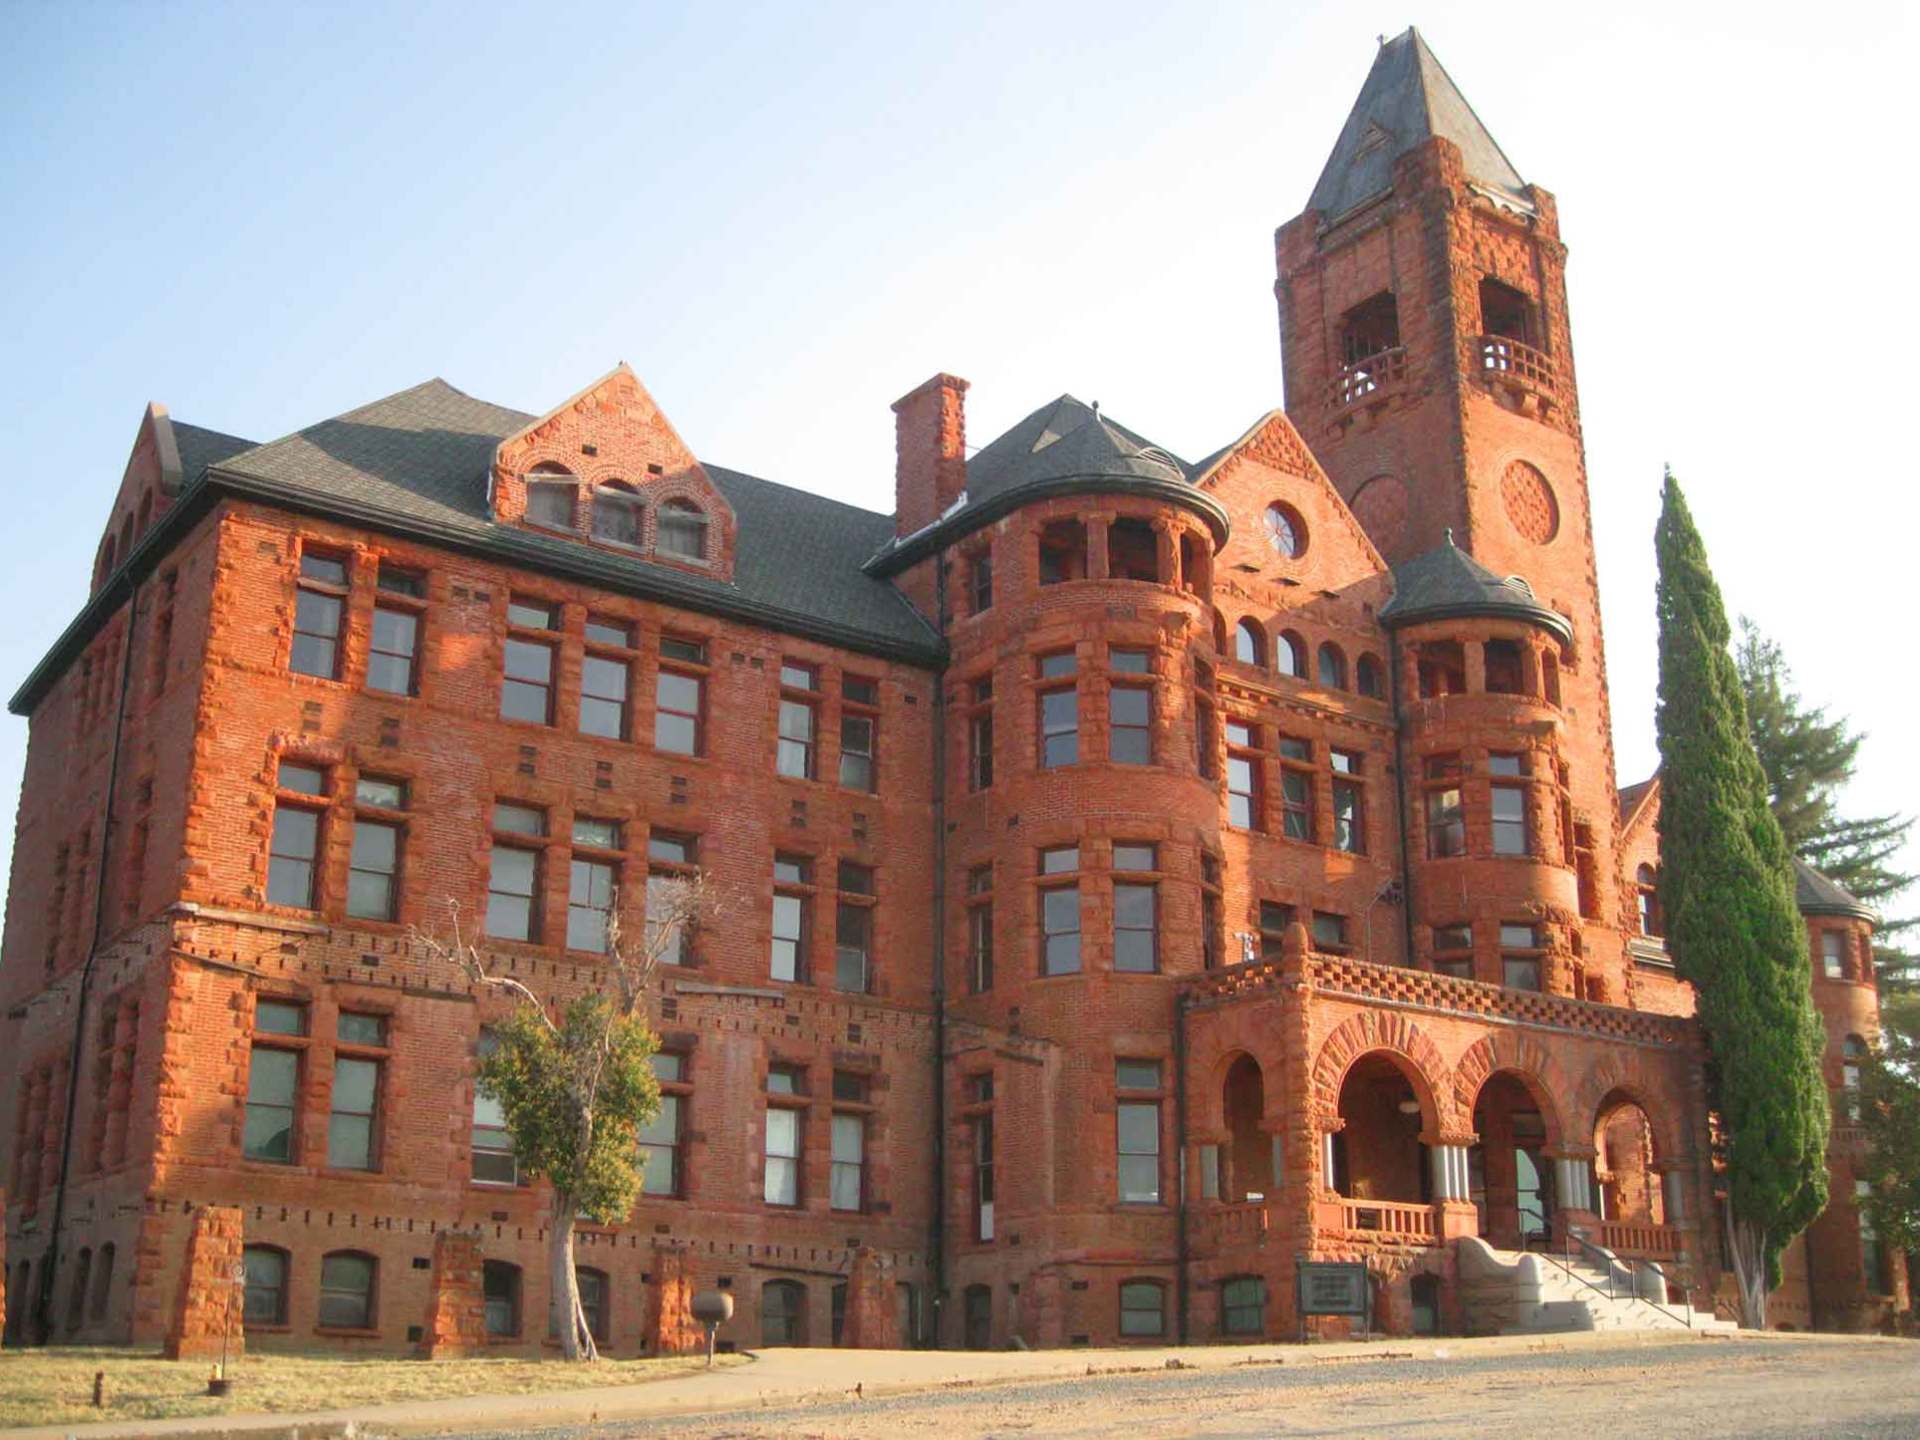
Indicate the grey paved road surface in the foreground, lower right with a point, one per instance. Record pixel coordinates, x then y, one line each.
1752 1389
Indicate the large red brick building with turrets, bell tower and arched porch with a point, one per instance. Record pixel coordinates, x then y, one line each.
1138 875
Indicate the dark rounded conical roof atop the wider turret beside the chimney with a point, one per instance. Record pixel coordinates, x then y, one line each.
1065 448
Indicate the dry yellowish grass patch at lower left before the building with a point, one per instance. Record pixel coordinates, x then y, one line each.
57 1385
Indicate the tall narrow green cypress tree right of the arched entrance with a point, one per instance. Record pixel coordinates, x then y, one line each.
1733 926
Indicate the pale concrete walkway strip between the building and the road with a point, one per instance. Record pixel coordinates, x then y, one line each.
800 1376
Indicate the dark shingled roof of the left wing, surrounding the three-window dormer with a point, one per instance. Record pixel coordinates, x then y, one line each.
420 460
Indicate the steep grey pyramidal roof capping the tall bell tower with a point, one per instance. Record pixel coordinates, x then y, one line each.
1408 99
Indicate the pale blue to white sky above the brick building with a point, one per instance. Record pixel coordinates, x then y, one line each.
788 216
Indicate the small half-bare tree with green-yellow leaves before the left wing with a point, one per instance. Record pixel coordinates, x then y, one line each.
577 1082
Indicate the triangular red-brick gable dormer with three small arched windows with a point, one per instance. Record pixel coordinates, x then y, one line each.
608 469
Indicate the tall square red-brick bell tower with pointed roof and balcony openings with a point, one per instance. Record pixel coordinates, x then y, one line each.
1429 366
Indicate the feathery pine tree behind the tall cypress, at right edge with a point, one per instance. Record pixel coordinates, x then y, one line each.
1810 759
